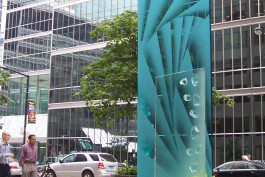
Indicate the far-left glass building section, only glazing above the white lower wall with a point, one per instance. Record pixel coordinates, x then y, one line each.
27 48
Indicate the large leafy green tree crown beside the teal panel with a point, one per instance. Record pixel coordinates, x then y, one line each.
112 80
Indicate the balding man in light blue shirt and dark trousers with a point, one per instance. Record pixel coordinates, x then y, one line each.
5 155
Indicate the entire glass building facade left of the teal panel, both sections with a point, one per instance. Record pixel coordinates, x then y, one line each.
50 40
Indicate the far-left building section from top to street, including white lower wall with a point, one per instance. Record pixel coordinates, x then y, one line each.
26 29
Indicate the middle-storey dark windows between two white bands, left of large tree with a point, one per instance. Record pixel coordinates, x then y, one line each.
66 71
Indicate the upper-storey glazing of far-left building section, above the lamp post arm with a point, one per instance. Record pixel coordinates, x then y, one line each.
28 37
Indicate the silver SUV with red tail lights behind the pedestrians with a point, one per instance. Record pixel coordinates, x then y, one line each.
87 164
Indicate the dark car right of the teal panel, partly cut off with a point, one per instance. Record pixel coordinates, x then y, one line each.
240 169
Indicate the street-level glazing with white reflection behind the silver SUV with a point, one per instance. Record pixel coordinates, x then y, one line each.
76 130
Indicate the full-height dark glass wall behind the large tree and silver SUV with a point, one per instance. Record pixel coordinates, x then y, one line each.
74 128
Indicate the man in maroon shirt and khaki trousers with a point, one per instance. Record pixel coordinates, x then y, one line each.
28 158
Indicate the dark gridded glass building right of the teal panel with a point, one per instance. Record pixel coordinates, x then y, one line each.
239 71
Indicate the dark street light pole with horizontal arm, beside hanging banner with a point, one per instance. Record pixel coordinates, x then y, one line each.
26 102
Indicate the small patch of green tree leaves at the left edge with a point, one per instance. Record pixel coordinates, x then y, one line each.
4 99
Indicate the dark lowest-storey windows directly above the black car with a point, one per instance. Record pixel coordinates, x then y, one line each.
246 121
